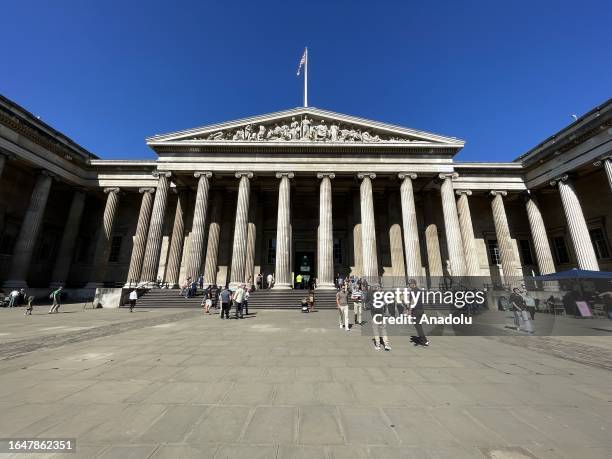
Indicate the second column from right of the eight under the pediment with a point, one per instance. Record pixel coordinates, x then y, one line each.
412 246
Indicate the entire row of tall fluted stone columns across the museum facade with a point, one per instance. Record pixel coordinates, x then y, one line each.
144 262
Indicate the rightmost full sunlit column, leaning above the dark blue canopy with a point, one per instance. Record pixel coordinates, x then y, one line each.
578 229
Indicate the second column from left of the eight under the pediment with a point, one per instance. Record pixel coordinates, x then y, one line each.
196 238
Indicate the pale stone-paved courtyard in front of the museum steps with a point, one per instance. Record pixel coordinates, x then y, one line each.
282 384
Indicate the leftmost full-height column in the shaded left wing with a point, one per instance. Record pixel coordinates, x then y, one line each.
28 233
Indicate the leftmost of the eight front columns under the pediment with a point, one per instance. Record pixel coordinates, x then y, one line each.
154 238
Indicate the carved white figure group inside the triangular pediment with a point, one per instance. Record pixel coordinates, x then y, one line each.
301 129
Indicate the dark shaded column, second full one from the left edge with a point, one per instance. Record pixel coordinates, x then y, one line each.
61 268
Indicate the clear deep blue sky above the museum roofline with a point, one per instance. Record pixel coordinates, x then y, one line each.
501 75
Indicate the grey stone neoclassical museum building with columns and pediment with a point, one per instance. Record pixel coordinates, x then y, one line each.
304 191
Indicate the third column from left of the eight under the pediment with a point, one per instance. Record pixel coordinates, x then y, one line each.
240 228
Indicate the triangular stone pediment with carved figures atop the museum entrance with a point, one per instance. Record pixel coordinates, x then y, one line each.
301 126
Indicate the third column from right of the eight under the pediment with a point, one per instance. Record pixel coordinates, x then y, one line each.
368 229
